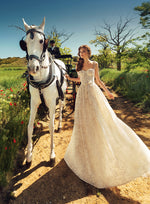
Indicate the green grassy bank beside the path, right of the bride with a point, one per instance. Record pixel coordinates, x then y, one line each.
135 85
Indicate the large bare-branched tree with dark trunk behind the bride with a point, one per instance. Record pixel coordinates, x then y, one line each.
118 39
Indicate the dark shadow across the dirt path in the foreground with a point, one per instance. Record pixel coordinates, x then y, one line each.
60 185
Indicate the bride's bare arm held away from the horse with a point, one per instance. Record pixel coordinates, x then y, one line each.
100 83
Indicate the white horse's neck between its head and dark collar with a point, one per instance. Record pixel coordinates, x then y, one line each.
43 73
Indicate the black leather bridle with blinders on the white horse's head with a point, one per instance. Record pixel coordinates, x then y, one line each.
23 46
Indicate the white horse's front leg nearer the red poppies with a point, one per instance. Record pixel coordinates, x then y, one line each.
33 111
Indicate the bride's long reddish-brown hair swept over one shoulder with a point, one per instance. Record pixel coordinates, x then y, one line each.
81 60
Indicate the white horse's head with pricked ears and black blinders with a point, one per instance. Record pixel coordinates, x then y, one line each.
35 45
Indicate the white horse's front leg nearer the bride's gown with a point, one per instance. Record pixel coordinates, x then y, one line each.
51 129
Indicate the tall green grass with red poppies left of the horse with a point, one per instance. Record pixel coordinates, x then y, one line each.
14 115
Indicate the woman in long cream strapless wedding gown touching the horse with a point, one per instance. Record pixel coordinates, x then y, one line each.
103 150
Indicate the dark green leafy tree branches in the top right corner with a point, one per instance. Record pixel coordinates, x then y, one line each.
144 11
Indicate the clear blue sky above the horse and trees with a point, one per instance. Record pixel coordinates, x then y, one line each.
80 17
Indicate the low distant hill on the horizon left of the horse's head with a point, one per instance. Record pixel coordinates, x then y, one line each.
13 62
